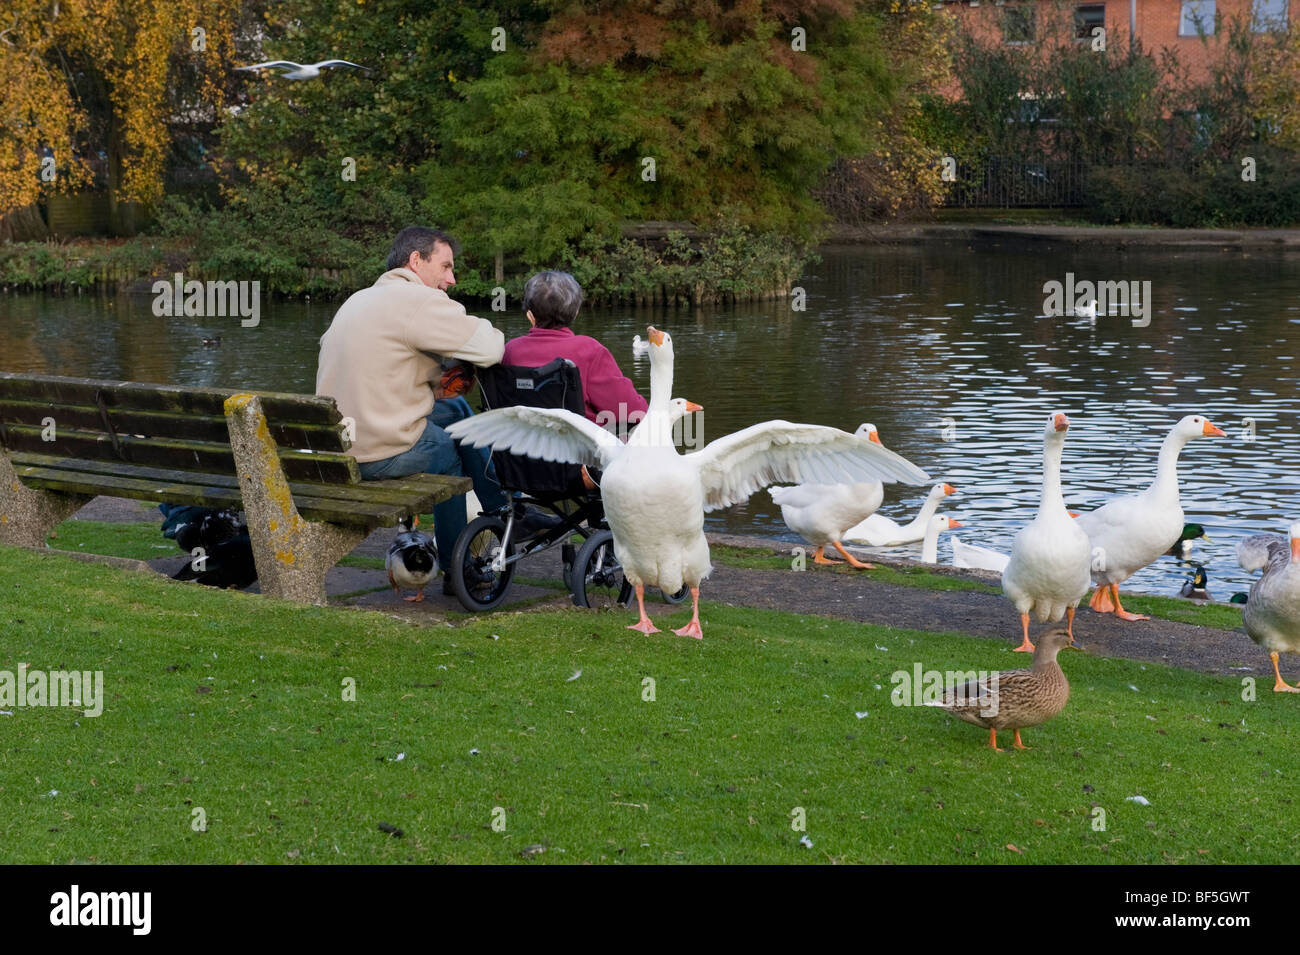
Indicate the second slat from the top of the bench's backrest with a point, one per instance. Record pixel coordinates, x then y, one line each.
328 439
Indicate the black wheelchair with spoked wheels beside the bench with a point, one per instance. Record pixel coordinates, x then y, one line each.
548 505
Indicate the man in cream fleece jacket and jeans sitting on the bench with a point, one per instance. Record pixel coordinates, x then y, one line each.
379 361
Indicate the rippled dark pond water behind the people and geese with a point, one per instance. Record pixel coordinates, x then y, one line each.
911 338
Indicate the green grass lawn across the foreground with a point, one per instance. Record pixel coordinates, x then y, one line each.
233 705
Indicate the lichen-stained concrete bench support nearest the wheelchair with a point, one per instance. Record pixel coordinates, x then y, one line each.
293 555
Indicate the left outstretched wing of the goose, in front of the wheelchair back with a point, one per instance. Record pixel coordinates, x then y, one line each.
552 435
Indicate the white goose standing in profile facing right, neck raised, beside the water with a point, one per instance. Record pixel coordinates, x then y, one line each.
1130 532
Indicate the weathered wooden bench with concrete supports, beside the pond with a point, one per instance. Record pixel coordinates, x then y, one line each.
280 458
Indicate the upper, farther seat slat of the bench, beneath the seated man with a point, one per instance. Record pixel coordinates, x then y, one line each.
408 492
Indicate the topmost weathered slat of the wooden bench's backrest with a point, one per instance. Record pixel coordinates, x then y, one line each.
279 407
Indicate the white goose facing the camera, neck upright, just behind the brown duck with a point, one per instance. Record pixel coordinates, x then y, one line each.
1048 571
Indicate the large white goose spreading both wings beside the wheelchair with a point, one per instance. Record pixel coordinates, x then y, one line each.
656 498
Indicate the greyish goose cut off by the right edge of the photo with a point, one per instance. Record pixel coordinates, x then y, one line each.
1272 614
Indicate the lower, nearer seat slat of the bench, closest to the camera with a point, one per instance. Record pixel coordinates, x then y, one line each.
357 514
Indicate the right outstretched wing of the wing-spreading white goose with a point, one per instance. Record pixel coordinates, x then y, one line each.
733 468
